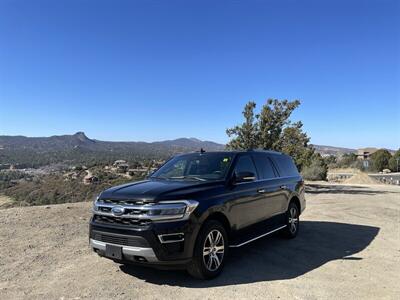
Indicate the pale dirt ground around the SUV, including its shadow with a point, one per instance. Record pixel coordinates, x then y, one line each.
348 247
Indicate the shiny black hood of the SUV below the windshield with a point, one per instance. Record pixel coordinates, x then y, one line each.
153 190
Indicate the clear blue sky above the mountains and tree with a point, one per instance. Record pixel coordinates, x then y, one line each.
154 70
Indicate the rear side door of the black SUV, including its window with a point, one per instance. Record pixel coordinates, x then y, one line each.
270 186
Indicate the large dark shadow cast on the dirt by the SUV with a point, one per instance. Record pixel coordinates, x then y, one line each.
275 258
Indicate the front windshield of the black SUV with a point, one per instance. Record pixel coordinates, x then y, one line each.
196 166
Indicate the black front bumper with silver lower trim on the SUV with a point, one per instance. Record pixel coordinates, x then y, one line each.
147 245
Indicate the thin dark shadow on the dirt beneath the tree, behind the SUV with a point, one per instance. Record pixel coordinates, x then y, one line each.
342 189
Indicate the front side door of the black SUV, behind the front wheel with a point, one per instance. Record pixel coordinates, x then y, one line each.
245 200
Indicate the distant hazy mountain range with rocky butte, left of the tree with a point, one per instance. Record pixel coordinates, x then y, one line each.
78 148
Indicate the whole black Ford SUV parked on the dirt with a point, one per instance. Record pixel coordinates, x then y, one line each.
195 207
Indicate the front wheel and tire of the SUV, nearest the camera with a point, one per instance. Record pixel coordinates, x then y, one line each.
208 266
